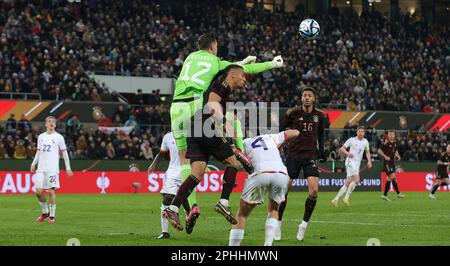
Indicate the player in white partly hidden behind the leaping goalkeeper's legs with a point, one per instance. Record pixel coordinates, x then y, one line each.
171 181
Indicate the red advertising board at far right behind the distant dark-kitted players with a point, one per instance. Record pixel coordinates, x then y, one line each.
415 181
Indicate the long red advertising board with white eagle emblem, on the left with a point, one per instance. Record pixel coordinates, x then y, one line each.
12 182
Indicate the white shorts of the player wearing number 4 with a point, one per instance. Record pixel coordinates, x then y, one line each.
274 184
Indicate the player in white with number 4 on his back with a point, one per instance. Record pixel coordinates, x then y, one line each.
270 176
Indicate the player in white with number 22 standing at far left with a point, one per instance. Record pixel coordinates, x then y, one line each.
50 145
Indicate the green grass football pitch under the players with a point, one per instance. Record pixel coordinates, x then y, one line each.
134 219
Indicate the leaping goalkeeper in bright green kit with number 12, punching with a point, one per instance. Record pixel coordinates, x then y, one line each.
197 73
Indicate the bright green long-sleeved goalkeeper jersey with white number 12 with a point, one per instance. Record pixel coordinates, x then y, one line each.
200 68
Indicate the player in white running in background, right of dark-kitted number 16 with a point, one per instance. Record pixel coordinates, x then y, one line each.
358 145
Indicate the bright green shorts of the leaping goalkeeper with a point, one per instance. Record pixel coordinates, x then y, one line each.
180 117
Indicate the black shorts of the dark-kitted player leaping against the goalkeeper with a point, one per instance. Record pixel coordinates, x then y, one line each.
200 148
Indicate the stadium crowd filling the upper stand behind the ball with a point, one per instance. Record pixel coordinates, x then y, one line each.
366 62
